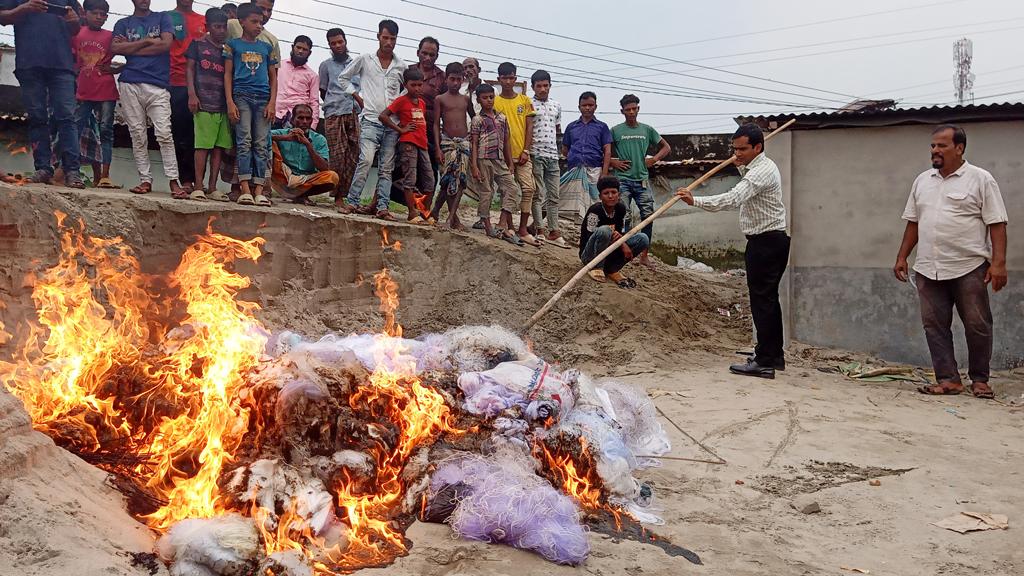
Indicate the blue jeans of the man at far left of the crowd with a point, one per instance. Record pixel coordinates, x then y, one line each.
47 92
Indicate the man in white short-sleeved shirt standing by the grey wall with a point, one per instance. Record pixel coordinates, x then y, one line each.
957 220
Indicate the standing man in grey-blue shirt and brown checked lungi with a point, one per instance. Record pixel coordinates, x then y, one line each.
342 114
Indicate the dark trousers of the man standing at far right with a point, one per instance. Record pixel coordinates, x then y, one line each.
969 296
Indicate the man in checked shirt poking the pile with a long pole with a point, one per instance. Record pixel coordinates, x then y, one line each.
762 219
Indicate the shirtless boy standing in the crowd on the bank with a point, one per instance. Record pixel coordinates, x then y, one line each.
452 111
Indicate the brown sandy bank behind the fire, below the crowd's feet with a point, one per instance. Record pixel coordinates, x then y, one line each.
317 275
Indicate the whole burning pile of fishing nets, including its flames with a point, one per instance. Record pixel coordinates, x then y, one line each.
257 451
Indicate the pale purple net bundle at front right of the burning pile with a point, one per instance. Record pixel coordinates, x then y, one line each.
501 502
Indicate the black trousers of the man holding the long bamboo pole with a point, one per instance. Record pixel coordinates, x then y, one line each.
767 256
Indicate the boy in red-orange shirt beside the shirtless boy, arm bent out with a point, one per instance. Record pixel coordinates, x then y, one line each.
417 174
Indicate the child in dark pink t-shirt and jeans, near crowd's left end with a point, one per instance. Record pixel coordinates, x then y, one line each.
98 93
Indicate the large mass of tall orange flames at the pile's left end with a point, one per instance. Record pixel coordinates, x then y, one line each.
176 431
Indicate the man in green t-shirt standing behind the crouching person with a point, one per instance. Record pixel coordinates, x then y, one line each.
632 141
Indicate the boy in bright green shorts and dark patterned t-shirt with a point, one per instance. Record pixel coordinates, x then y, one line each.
205 79
